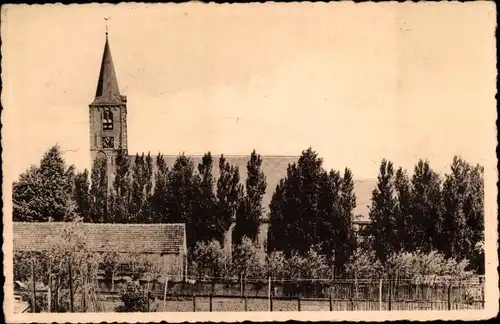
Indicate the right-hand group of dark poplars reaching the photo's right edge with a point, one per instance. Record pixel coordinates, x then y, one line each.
426 212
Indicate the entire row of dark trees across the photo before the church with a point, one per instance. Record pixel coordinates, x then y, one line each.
310 207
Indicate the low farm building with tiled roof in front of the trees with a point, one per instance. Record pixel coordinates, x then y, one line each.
164 244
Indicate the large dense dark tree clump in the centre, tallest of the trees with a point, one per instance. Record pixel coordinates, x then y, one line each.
312 207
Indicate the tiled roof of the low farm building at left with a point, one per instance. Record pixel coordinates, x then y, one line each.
122 238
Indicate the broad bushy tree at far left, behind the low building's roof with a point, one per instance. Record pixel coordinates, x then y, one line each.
45 192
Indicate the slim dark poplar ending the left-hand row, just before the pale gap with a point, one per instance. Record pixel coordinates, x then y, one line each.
250 211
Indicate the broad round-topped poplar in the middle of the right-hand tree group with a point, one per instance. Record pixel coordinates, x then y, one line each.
426 207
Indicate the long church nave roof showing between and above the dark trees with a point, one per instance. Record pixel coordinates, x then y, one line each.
274 168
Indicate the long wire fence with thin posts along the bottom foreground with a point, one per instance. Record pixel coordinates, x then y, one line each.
192 294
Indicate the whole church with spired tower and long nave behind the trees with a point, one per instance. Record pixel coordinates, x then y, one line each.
108 136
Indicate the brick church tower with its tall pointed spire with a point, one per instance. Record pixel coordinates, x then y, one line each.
108 116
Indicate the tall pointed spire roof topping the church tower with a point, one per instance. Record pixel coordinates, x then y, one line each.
108 92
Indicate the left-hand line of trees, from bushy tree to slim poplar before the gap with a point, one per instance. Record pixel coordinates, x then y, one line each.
143 194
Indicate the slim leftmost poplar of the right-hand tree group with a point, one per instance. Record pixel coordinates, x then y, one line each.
382 213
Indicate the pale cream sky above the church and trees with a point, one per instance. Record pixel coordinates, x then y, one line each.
356 82
